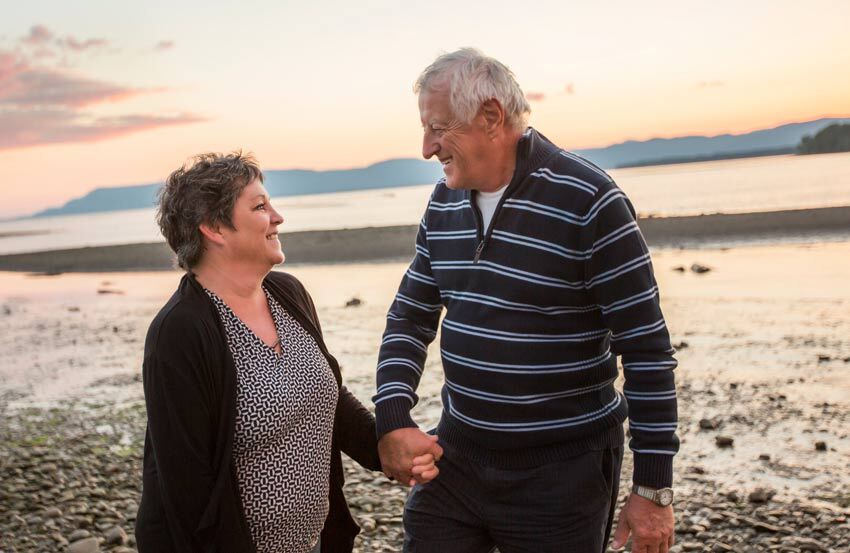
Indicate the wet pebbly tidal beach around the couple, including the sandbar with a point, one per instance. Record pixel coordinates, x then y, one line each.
760 320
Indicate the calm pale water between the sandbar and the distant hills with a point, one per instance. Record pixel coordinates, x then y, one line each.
745 185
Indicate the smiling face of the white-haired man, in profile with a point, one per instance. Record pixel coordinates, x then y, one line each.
464 149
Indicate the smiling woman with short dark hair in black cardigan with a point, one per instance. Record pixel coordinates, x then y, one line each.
247 413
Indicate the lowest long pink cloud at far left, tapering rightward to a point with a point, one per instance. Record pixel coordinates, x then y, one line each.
50 126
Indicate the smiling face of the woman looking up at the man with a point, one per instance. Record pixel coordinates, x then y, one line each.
254 239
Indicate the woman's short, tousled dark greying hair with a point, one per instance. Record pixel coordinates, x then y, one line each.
204 190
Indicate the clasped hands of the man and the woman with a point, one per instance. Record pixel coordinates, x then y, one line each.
408 455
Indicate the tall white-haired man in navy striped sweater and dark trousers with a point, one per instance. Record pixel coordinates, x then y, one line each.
536 256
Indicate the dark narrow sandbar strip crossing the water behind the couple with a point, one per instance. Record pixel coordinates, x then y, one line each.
396 242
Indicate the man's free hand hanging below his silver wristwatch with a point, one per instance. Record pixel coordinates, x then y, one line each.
651 526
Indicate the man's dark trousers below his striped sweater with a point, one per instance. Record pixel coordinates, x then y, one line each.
560 507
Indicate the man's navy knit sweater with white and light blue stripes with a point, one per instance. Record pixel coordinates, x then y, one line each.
538 306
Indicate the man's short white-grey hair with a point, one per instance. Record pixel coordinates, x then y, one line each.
473 79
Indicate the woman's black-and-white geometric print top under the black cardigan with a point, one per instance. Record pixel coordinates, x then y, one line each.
284 421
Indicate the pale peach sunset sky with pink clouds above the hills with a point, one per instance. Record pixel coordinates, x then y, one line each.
104 93
